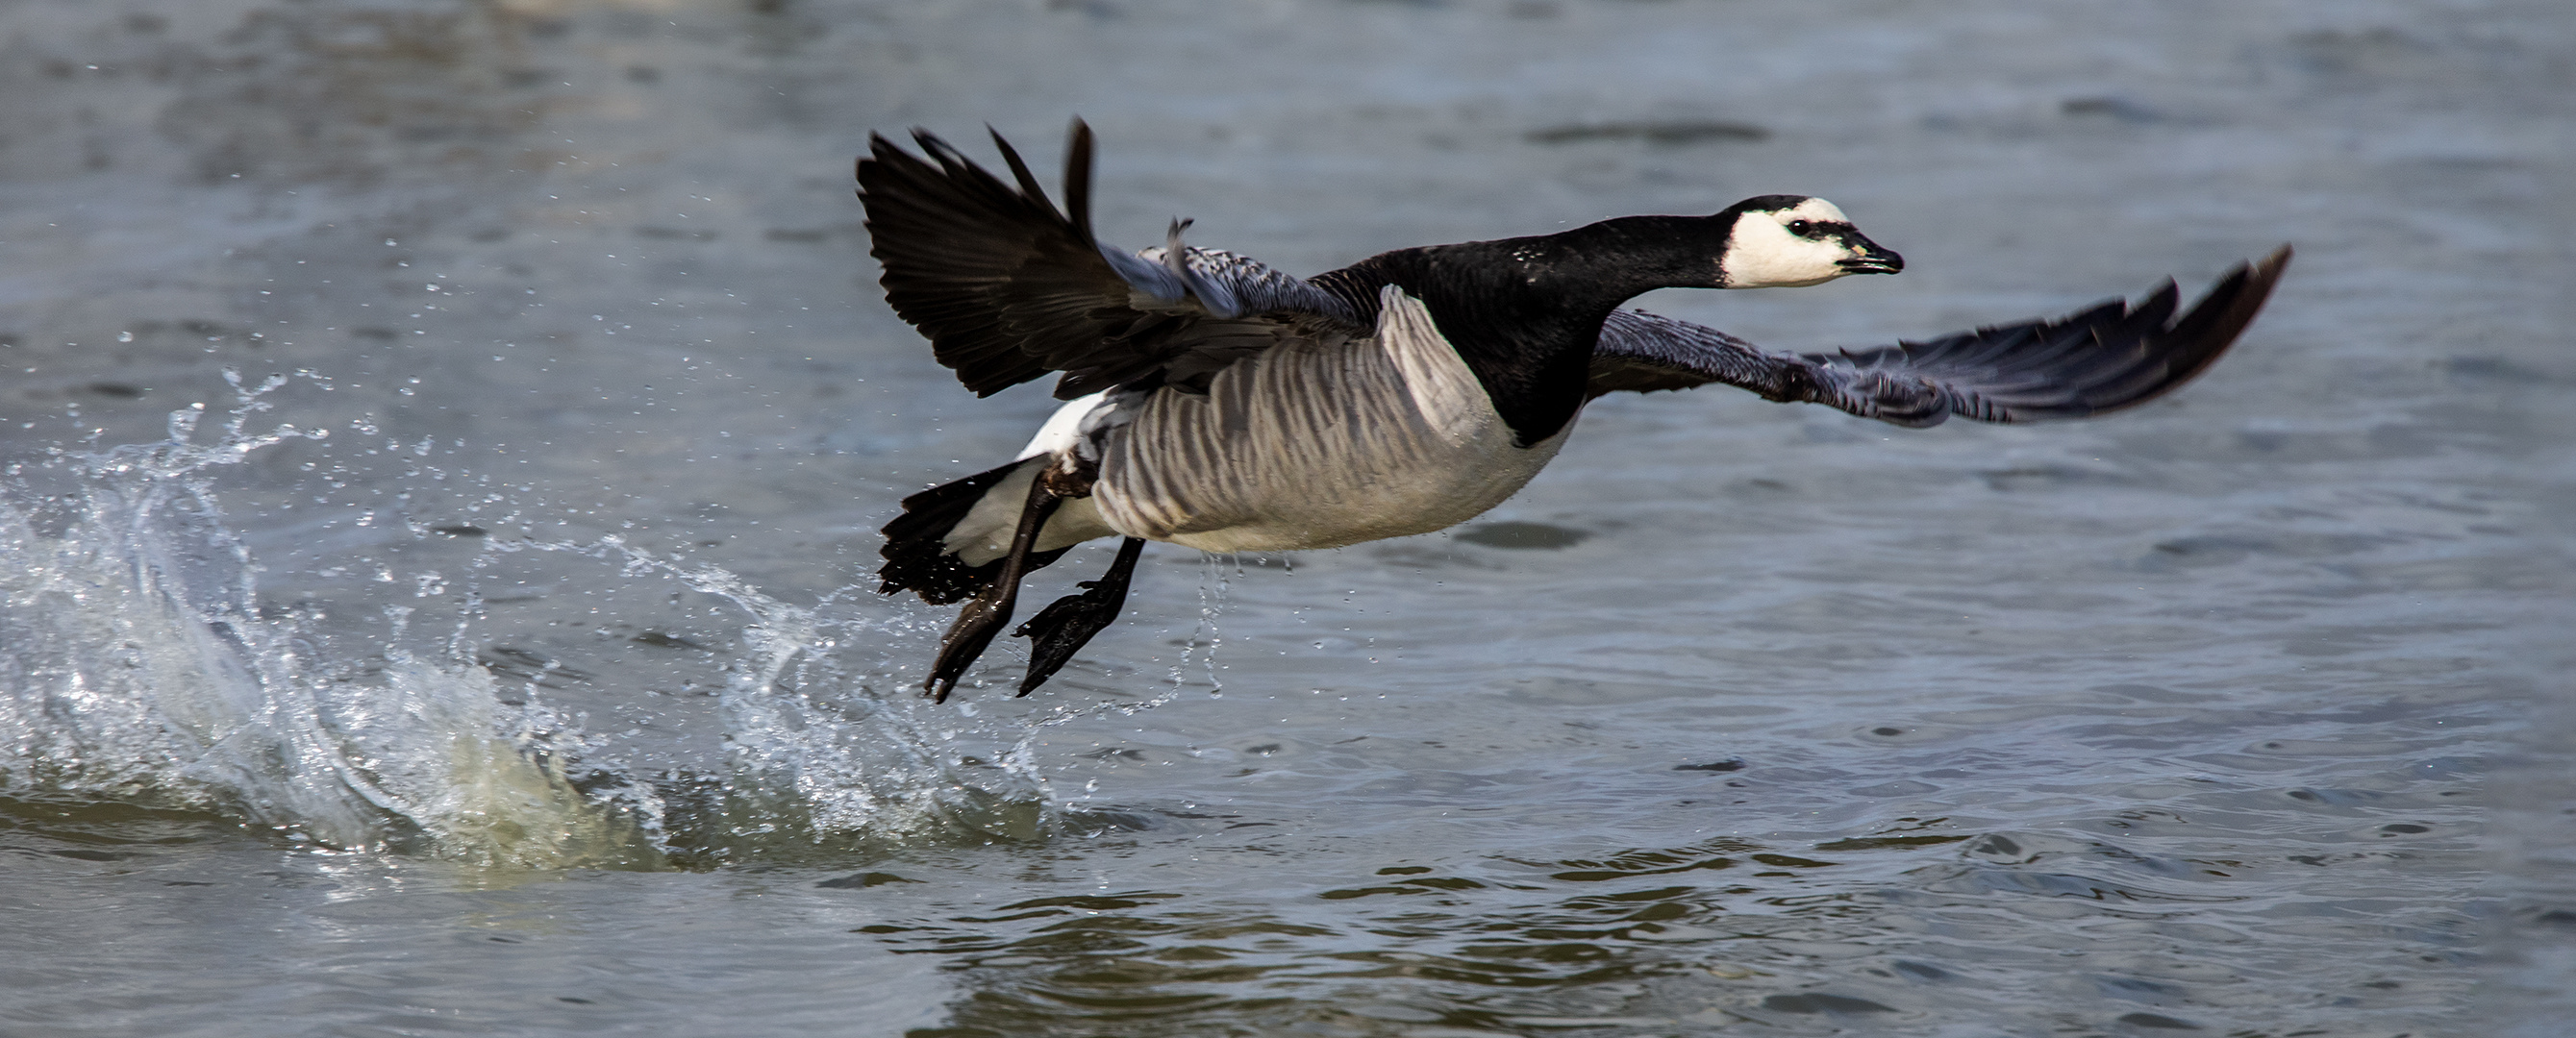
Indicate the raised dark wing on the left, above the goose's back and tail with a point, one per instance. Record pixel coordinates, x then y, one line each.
1009 290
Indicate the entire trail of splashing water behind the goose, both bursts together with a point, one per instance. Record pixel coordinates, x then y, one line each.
140 668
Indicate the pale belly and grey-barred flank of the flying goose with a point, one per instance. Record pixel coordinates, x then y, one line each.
1318 447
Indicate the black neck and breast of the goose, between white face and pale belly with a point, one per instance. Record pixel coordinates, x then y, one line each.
1526 313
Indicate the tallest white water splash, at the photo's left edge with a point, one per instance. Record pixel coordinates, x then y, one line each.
135 666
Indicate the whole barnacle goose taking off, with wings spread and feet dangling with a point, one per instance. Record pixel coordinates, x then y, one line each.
1233 408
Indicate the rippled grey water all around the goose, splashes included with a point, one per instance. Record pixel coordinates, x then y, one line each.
442 452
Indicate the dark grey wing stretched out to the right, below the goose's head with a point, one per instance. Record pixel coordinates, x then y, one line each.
2096 362
